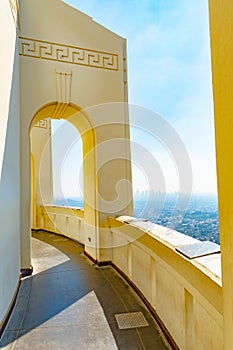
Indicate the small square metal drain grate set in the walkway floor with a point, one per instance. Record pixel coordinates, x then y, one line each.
131 320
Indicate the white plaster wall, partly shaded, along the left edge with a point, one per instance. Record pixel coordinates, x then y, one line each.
9 161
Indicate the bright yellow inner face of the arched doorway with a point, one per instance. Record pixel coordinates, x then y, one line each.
77 117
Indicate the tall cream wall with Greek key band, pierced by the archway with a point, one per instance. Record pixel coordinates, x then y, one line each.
63 64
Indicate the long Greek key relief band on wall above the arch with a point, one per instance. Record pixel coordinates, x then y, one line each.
67 54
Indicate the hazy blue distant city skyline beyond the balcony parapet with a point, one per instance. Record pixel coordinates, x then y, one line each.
199 220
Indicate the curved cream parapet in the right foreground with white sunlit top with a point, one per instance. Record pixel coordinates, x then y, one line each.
185 294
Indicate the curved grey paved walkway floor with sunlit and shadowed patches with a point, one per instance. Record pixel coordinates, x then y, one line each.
70 304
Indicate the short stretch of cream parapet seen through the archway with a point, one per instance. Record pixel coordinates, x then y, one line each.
67 221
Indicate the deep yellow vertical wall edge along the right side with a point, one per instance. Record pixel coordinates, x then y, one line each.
221 30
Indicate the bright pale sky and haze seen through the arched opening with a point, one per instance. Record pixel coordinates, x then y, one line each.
67 167
